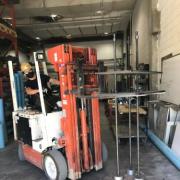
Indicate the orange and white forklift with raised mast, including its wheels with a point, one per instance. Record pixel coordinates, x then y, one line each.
64 143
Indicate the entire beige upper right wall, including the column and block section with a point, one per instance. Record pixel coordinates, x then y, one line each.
153 47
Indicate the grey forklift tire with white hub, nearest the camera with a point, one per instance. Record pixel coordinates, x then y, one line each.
55 166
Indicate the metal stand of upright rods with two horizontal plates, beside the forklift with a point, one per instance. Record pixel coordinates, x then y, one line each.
133 92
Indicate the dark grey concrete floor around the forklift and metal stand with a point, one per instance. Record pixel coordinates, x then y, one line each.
154 166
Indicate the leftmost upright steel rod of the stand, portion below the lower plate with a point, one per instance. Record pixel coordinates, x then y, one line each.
117 143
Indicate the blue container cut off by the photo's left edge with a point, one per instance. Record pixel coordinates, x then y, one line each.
2 125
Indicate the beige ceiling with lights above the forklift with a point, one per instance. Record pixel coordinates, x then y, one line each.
78 18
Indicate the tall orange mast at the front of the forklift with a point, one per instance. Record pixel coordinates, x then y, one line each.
81 138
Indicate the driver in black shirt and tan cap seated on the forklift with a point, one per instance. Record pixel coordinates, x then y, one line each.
31 88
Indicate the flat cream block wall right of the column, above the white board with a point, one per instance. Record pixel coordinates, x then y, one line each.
169 39
